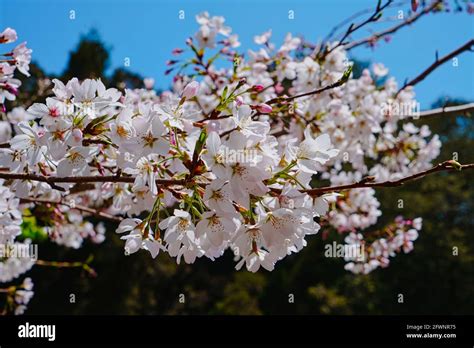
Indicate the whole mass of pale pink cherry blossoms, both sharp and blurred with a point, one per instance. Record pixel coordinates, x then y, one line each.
223 161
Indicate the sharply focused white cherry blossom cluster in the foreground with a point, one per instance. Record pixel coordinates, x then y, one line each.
227 202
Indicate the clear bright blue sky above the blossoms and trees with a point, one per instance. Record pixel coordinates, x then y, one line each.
147 30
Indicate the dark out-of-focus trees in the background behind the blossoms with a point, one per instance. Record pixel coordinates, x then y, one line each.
431 279
